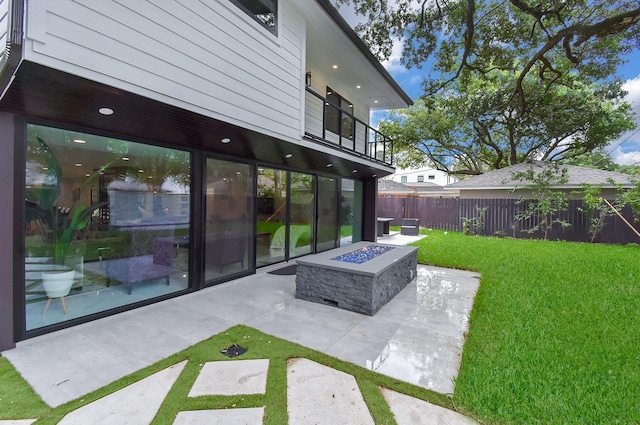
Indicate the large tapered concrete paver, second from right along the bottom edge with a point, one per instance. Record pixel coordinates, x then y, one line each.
318 395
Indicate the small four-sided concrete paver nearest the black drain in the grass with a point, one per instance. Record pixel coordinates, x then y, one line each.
231 377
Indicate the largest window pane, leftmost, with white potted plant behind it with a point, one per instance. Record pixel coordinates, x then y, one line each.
107 224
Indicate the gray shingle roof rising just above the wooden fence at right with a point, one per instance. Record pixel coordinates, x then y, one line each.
502 178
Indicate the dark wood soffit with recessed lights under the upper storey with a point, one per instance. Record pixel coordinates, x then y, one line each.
51 95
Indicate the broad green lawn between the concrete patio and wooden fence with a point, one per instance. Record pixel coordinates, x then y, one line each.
554 332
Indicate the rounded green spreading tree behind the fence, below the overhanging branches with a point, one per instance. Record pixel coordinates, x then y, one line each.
475 126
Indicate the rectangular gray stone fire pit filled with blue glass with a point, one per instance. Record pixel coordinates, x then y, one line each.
361 277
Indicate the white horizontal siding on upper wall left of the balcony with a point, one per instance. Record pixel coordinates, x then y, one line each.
206 56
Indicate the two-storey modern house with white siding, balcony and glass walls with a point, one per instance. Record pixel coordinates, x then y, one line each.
213 138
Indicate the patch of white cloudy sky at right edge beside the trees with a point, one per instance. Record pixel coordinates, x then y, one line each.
626 149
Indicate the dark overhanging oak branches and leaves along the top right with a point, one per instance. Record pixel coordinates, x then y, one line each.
547 41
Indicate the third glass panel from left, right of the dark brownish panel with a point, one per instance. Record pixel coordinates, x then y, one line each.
271 216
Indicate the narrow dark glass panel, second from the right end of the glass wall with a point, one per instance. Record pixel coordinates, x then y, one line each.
327 214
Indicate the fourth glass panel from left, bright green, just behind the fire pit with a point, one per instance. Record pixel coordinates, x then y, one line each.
302 213
